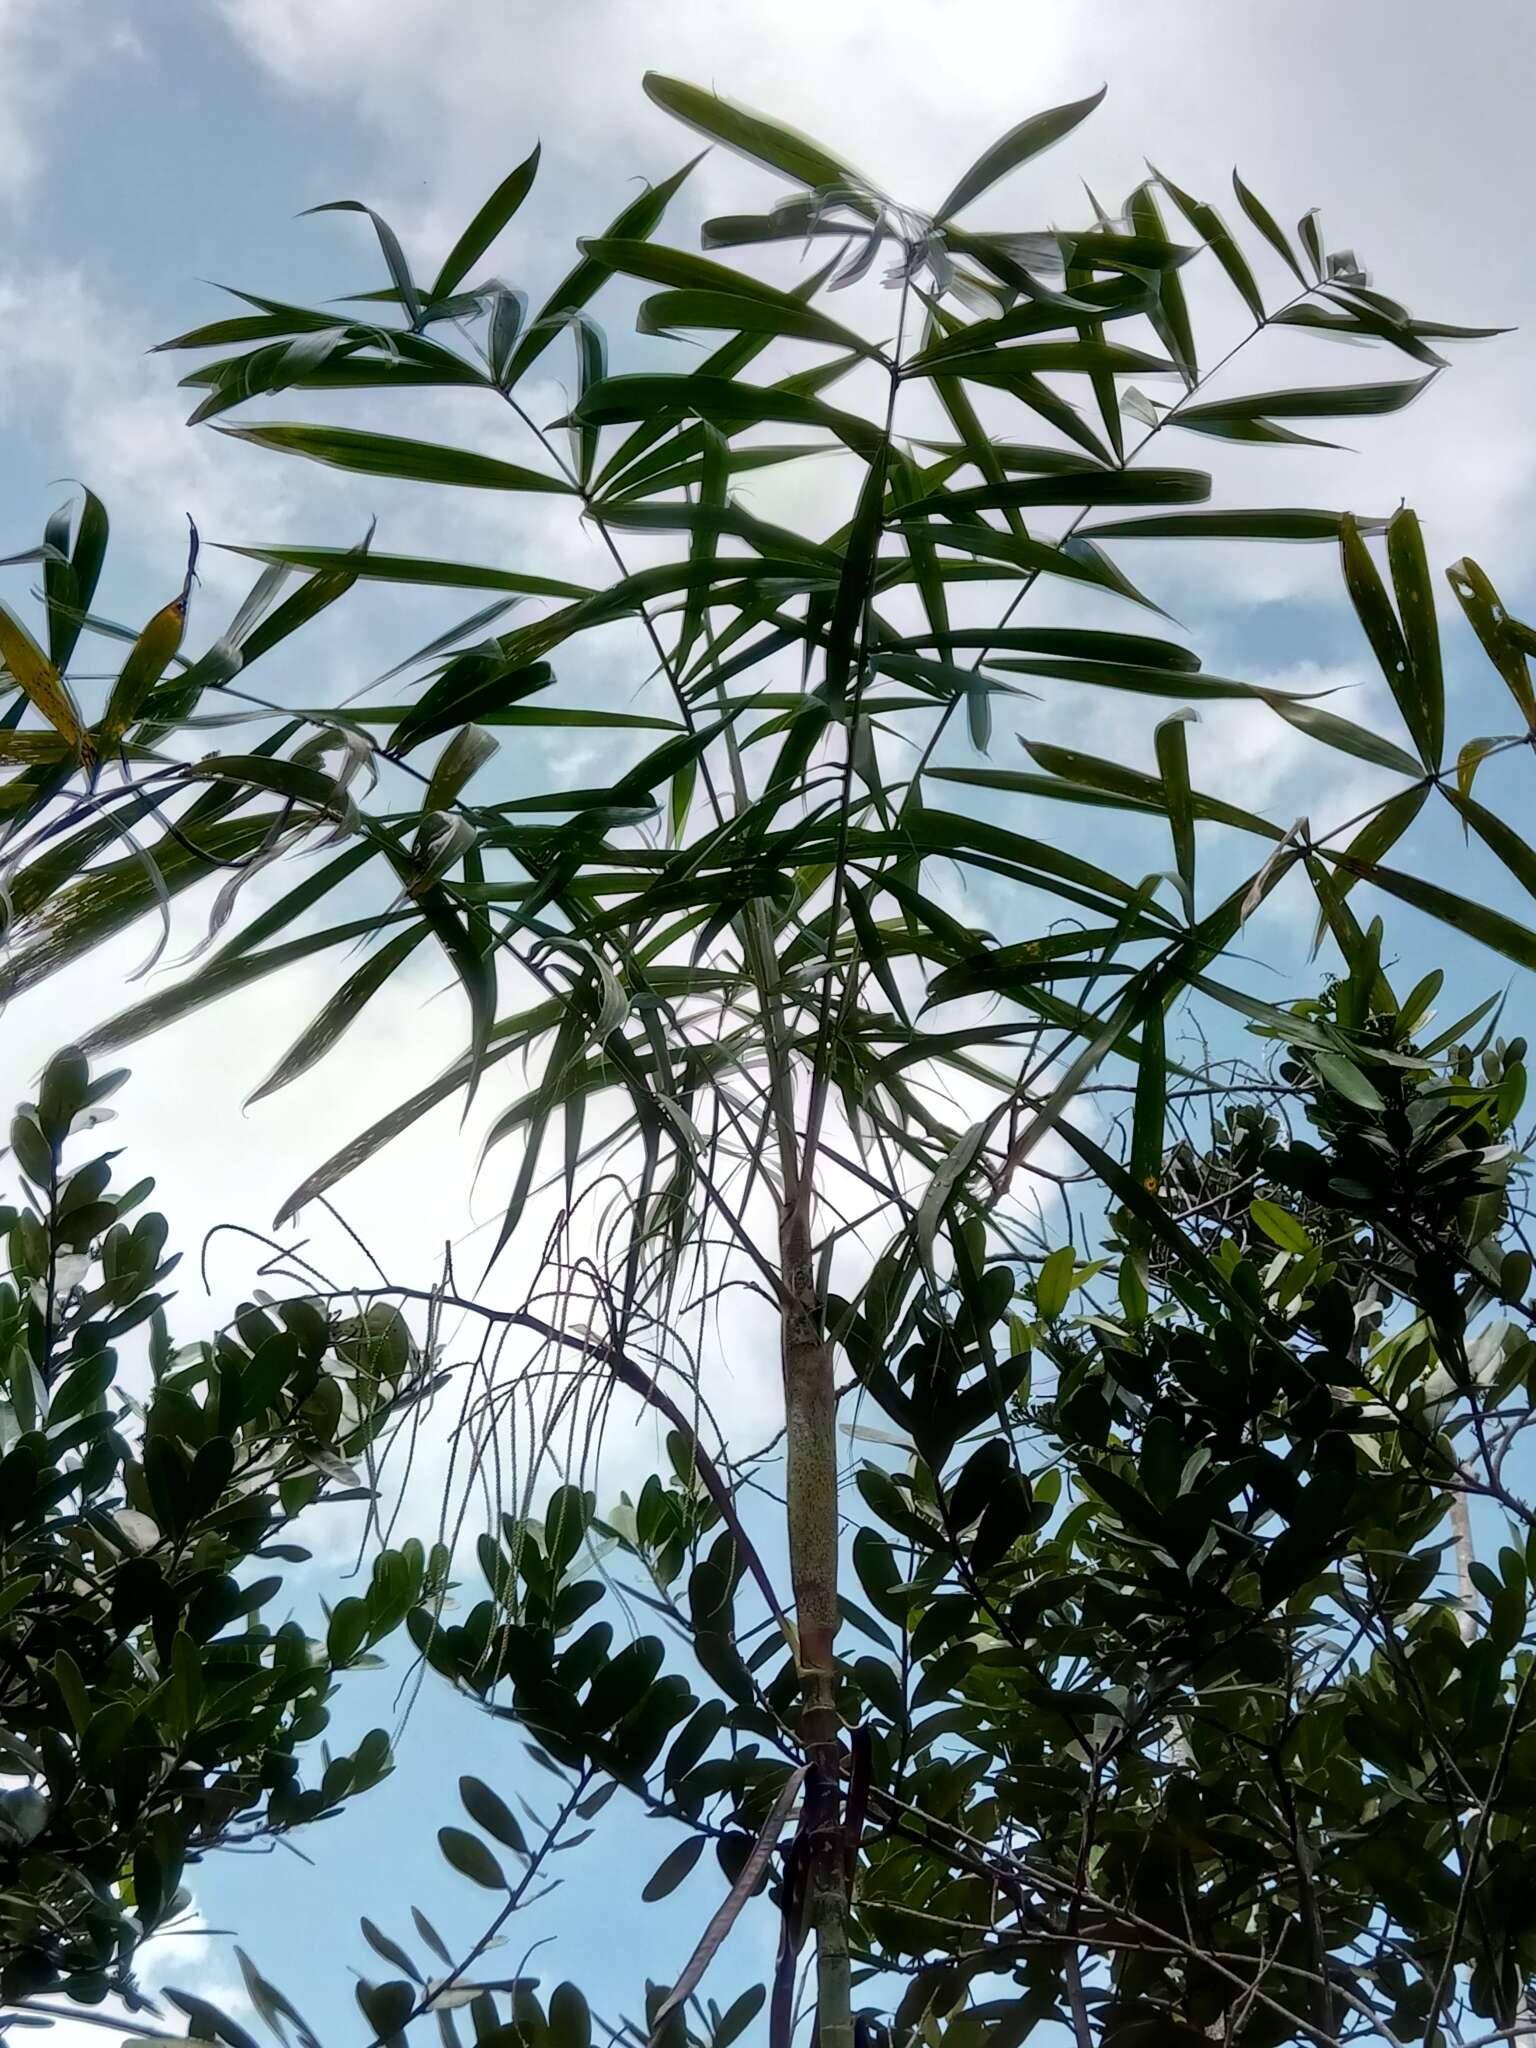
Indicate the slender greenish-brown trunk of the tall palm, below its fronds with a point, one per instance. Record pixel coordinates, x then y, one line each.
812 1482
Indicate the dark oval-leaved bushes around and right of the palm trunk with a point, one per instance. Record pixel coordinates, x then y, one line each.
1179 1711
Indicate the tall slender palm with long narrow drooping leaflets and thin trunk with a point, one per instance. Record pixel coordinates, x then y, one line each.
728 962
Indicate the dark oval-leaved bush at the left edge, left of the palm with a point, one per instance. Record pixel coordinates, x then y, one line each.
148 1709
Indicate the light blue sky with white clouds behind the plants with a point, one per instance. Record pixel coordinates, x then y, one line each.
155 146
